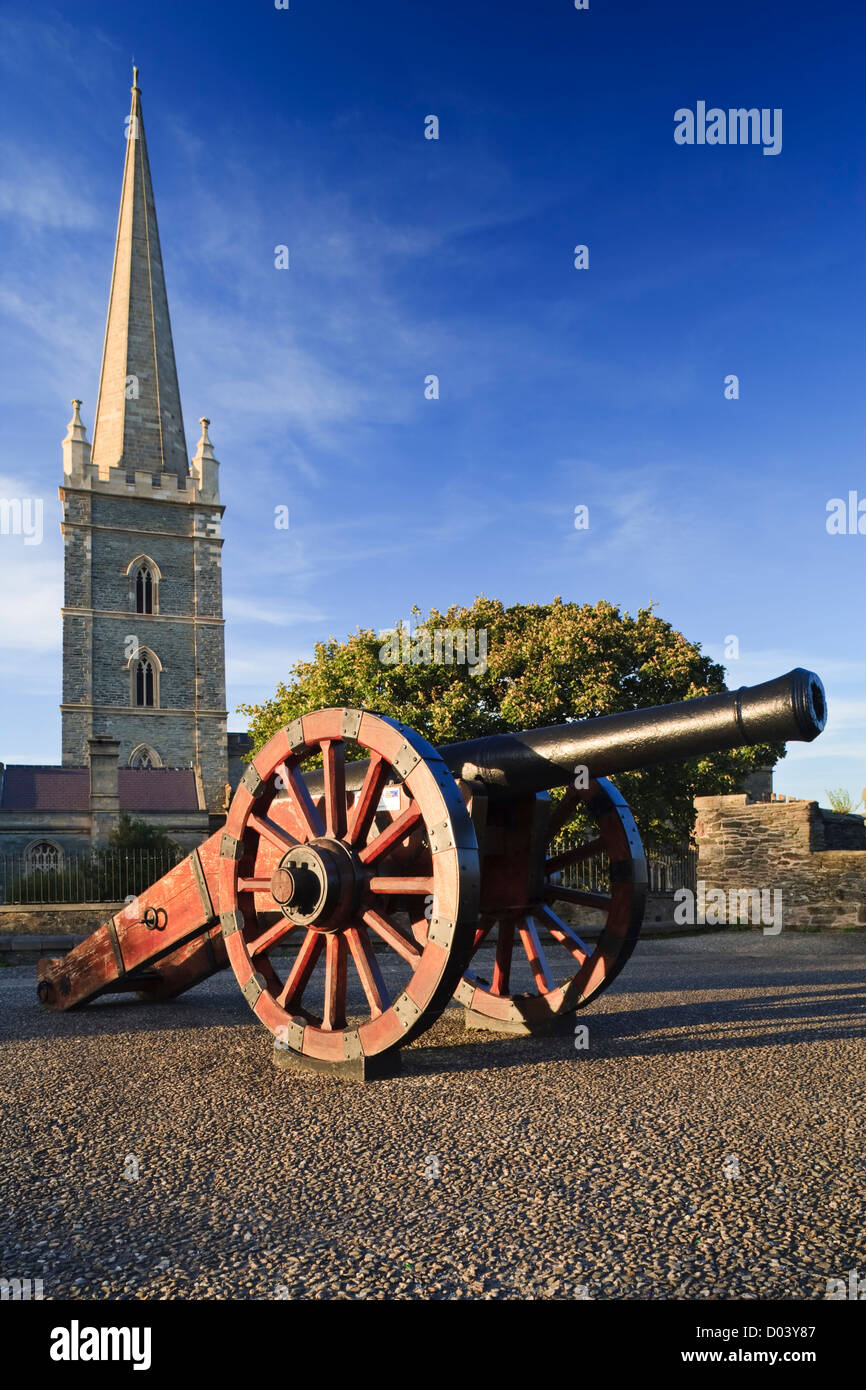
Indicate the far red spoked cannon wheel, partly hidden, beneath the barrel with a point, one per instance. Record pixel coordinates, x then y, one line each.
532 940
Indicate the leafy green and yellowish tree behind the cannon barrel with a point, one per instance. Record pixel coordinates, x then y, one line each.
546 664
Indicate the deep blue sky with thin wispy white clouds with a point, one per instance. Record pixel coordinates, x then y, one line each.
455 256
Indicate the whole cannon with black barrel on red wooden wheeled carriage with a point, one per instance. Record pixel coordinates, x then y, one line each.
351 901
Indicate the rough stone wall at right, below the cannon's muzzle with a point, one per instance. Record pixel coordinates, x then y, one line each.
817 858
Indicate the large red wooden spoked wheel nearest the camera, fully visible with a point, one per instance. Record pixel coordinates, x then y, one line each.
327 875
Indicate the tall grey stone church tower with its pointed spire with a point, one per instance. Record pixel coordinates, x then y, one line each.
142 622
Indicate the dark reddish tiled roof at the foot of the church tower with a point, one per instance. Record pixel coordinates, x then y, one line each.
28 787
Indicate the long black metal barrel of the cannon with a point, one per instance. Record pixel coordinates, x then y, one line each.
790 708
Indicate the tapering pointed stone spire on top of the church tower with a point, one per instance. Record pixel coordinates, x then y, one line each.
138 423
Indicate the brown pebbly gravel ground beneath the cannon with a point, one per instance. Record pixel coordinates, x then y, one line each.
707 1145
